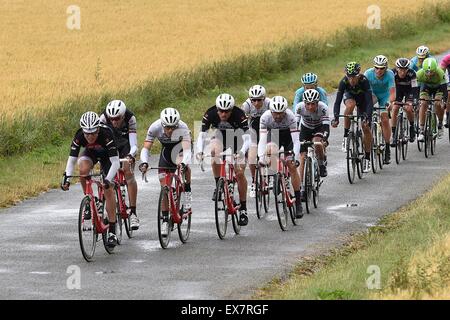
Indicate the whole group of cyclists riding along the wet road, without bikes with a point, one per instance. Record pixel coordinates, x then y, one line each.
257 130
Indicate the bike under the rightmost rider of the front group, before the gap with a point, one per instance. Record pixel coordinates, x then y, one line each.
311 178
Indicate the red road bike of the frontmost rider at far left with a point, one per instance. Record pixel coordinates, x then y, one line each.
92 220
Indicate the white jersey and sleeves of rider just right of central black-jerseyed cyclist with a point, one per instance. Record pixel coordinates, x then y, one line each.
283 133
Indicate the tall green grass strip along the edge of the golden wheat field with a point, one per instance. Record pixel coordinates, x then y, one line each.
50 126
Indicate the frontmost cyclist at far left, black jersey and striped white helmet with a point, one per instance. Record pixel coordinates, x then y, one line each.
99 146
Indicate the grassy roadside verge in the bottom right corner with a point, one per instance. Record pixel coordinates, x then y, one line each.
410 248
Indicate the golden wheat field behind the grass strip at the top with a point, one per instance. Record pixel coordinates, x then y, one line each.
121 43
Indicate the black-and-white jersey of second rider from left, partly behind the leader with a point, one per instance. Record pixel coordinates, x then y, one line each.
125 136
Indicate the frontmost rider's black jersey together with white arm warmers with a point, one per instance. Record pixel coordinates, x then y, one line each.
104 149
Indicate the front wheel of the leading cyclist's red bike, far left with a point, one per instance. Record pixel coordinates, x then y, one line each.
87 233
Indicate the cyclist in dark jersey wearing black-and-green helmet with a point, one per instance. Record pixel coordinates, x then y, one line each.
355 89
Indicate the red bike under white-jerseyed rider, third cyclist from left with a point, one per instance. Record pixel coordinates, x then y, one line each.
172 197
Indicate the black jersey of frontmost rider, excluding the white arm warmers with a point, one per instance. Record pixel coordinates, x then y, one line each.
105 143
